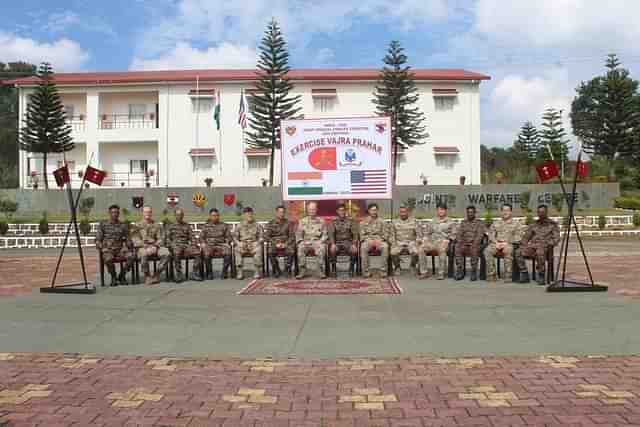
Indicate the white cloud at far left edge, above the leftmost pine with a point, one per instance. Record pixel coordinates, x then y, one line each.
63 54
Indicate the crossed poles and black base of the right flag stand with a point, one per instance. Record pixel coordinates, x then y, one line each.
561 283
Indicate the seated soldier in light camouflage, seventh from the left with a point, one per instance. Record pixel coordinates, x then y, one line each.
311 234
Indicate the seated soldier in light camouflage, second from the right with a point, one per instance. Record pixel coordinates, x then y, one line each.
502 235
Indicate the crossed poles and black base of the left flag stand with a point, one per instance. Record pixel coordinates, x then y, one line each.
85 287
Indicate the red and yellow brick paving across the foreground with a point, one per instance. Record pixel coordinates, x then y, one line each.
83 390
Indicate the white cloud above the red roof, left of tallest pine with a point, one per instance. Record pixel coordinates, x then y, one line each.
184 56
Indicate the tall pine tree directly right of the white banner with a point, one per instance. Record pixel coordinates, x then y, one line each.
395 96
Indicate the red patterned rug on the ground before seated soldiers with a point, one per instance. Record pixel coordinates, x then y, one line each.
322 287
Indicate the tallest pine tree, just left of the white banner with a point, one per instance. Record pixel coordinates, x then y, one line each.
271 102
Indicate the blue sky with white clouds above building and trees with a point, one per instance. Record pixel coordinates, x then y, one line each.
536 52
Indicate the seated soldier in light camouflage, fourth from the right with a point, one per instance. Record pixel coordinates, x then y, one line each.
436 236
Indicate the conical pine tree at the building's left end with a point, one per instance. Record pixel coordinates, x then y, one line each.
45 128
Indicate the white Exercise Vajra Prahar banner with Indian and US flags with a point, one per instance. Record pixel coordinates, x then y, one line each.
328 159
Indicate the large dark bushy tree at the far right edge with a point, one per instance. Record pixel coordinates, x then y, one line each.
605 114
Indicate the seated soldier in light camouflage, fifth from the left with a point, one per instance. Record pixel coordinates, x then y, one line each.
248 240
